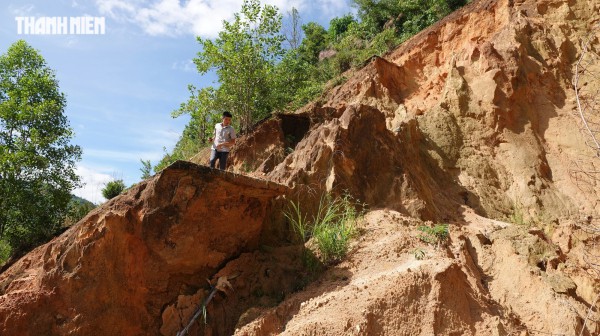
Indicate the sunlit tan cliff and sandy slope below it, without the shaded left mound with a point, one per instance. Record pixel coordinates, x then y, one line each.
474 113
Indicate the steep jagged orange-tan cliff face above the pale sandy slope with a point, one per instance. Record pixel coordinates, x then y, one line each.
475 110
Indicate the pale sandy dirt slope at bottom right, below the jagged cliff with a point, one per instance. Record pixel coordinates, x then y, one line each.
473 285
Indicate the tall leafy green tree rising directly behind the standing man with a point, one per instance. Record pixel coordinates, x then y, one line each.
243 57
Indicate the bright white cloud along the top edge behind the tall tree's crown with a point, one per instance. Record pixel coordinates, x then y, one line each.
198 17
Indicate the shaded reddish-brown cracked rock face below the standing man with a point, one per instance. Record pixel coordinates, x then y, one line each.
113 273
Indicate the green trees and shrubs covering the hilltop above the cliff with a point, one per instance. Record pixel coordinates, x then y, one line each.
259 74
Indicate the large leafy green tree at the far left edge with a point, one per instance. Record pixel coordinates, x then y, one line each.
37 161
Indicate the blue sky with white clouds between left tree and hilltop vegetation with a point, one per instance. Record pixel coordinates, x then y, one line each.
122 85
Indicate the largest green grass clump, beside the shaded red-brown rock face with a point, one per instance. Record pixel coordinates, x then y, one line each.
331 227
